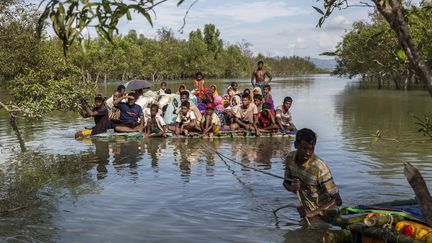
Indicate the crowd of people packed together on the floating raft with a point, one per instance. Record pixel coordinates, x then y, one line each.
200 111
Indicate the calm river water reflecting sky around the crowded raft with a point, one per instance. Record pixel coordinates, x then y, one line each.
176 190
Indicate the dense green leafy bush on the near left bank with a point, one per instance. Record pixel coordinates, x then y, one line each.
38 78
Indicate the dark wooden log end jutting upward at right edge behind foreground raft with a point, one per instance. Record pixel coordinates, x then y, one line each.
423 197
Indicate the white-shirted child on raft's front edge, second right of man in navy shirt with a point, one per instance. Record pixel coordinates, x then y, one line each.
186 120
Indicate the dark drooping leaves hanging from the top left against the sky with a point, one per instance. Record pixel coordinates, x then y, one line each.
70 17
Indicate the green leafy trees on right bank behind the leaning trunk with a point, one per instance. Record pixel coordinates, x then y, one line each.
371 49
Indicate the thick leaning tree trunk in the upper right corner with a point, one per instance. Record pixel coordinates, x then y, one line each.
392 12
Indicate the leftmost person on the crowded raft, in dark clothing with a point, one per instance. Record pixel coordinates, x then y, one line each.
100 114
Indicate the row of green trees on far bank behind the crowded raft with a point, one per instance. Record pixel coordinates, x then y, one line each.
134 56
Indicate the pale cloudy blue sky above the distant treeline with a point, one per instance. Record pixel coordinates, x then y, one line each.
273 27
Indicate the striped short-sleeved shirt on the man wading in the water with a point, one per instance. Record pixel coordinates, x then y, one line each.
317 185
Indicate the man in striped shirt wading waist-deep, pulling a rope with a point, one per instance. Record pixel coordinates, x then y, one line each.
311 177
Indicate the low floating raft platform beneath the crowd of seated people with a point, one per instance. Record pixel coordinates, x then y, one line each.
224 134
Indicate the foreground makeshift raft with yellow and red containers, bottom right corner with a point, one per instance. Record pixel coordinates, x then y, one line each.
400 221
